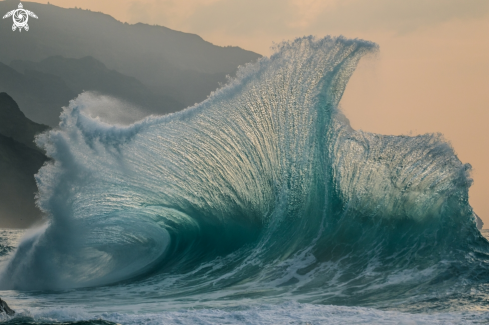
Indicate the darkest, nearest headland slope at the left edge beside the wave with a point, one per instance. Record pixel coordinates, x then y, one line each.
20 159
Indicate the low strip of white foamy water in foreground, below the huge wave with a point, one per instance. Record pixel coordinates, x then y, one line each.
286 313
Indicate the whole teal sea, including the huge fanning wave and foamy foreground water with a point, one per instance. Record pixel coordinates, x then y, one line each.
260 205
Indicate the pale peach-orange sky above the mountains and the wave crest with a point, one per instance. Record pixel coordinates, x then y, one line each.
431 74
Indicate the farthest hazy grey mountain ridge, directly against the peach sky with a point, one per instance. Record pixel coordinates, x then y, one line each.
173 64
